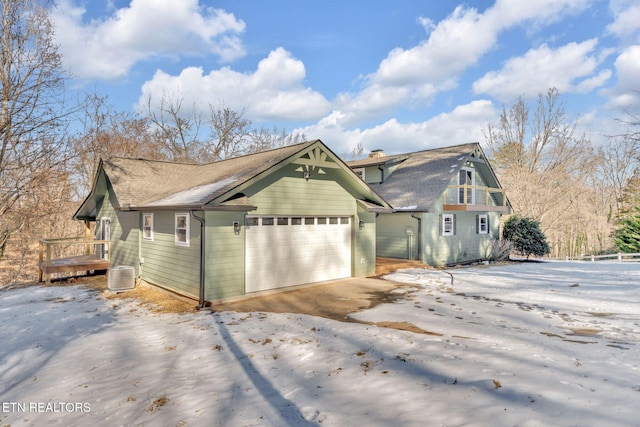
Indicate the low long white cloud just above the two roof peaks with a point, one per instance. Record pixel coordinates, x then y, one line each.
463 124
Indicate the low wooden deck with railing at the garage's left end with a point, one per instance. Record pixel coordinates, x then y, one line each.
71 254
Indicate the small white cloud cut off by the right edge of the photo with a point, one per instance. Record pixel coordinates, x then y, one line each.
626 94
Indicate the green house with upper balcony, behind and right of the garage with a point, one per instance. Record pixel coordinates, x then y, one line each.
447 204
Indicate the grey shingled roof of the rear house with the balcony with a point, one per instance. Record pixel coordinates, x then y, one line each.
422 176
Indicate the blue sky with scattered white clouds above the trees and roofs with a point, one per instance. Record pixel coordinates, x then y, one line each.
395 75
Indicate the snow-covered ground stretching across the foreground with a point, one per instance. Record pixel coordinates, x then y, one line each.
529 344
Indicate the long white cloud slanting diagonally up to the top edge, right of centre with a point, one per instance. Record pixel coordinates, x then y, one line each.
415 75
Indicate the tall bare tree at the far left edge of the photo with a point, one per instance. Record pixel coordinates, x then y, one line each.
33 153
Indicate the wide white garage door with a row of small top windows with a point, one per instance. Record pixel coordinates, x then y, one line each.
285 251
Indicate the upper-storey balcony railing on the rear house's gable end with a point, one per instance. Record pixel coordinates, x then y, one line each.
475 198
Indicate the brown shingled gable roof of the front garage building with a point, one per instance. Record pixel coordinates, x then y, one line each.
140 183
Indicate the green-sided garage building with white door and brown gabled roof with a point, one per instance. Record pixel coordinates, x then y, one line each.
273 219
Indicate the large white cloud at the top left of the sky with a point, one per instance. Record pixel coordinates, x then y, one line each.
108 48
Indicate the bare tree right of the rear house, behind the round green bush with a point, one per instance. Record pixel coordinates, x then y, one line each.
542 163
